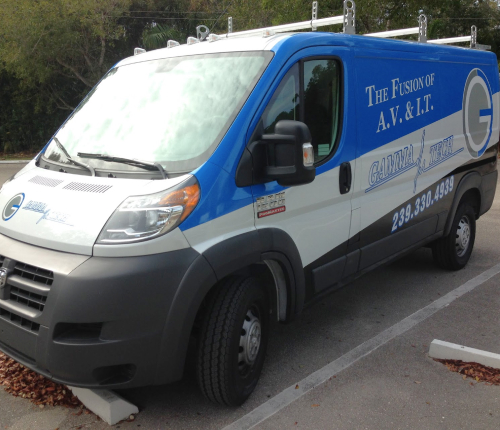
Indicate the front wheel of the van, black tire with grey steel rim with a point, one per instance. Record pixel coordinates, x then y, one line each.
233 341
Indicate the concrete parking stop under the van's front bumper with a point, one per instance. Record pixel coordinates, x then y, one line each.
108 405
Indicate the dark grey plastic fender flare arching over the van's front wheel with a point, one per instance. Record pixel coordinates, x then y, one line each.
207 269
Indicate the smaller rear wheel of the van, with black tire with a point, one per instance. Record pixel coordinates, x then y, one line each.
452 252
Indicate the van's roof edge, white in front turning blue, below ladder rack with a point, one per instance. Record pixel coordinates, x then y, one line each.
301 41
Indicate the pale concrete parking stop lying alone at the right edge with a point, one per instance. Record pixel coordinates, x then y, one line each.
451 351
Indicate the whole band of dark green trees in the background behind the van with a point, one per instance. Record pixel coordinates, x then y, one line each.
53 51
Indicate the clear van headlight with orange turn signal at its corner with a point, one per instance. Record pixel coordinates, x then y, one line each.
146 217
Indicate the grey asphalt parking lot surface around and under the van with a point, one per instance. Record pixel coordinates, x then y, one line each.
393 384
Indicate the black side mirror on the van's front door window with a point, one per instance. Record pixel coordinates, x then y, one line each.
285 156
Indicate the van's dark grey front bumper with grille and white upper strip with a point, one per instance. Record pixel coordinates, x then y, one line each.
90 321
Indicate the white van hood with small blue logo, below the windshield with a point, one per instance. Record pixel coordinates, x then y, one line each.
66 212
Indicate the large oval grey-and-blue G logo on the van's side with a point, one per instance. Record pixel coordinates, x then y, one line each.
477 108
